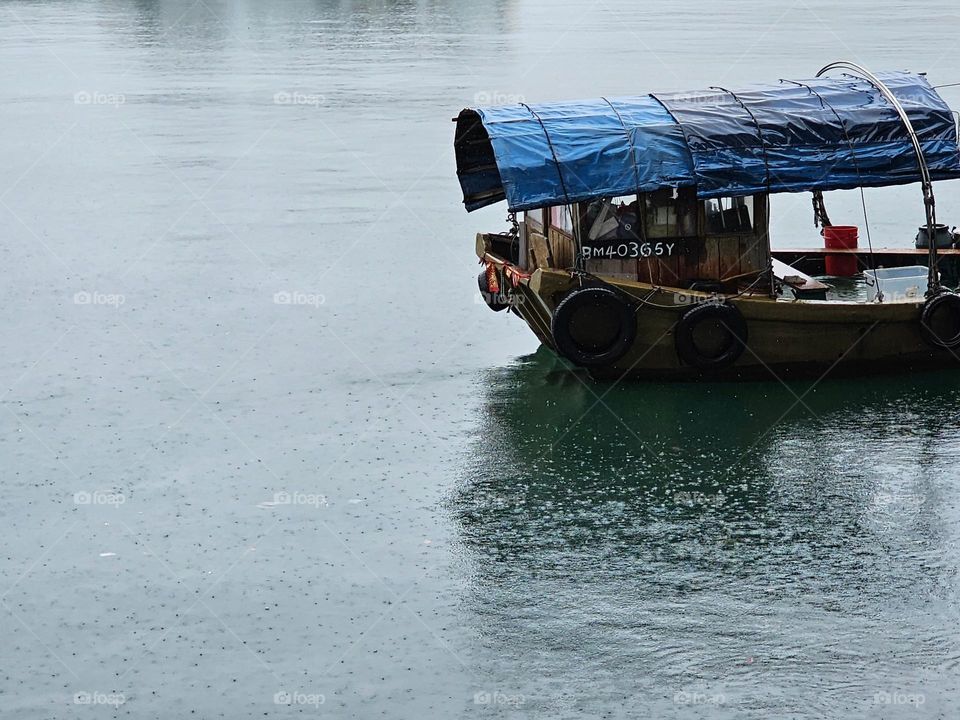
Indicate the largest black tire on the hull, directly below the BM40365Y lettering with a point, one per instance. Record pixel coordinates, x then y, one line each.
593 327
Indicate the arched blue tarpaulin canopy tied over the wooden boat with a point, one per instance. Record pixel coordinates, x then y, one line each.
822 134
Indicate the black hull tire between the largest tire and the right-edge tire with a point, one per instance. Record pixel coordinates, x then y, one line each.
730 322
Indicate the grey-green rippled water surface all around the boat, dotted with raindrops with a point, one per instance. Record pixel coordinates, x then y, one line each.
265 455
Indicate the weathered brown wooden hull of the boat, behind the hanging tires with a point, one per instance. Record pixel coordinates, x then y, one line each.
787 338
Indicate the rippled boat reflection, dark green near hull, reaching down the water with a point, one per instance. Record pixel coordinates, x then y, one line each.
672 544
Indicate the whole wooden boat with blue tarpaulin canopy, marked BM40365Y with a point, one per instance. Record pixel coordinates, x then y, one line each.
643 249
